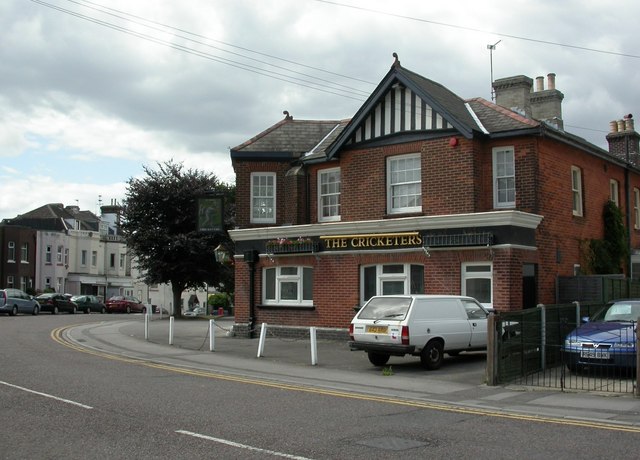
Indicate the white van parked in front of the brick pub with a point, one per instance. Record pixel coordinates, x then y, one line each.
420 325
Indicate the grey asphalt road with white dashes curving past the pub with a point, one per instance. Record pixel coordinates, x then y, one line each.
60 402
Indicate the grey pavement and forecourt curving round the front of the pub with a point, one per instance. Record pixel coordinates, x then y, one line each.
458 385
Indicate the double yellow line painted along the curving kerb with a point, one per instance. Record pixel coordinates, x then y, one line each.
58 335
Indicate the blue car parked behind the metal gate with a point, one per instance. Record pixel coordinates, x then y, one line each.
608 339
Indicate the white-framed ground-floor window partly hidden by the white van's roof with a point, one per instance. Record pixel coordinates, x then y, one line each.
391 279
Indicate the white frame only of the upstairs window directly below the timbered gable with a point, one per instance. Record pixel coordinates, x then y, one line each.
396 184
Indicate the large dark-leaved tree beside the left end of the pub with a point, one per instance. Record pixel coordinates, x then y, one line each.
160 227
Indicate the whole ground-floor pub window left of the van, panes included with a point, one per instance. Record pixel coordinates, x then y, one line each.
291 285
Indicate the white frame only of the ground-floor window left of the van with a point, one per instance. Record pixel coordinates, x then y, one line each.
280 278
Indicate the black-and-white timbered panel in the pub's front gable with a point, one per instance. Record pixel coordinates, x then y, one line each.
399 110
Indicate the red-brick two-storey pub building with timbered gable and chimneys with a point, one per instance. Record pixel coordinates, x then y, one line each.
422 191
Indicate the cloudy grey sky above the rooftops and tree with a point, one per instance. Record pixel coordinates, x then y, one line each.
90 91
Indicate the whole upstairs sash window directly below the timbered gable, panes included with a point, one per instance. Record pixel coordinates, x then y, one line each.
404 184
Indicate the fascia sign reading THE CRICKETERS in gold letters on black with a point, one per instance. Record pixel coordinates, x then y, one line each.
371 241
